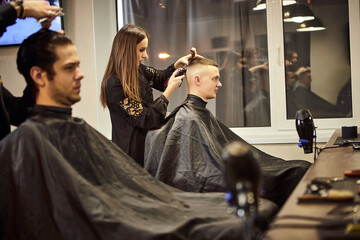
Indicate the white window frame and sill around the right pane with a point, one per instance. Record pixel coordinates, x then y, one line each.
283 130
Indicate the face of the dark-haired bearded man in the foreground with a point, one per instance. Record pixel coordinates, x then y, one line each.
64 89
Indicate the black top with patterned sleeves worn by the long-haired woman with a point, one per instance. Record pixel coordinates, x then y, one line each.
131 120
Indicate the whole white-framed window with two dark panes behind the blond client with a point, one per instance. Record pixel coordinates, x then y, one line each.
250 46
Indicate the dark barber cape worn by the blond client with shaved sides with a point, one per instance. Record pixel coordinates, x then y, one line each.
186 153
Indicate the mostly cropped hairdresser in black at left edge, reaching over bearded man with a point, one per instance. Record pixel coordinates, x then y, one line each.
13 110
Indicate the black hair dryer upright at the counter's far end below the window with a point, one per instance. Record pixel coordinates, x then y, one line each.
305 128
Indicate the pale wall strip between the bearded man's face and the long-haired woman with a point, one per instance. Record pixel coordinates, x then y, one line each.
79 26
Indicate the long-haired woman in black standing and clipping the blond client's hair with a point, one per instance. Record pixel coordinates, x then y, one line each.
126 90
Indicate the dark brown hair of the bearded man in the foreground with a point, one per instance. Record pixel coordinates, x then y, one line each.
39 50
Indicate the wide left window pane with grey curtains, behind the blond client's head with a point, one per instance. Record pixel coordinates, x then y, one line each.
227 31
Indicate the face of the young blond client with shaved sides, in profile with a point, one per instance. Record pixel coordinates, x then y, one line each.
210 82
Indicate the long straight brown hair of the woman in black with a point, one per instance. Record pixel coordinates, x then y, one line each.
123 62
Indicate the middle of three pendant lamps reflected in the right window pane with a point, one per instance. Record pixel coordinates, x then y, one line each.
298 13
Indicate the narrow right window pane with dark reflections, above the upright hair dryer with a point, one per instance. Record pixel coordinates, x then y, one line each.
317 60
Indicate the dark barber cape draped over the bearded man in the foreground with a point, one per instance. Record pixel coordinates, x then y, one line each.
61 179
